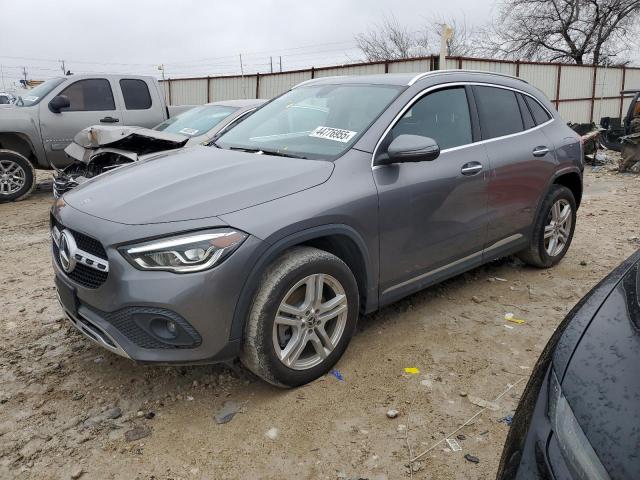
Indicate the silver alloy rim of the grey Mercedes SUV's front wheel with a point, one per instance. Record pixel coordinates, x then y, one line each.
310 321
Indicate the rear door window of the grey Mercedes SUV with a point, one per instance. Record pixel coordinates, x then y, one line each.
498 110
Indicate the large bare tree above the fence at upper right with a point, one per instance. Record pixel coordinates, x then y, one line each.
579 31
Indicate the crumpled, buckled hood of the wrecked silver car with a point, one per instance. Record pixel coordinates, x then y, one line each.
131 142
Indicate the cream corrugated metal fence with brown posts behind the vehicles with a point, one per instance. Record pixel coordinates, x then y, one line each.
581 93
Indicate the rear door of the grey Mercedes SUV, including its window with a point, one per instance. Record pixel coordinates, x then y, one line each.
522 161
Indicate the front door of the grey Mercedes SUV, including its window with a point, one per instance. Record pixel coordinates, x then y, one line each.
432 213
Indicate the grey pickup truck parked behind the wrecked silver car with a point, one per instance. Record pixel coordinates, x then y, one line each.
36 129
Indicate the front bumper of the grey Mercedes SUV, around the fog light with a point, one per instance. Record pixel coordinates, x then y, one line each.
203 303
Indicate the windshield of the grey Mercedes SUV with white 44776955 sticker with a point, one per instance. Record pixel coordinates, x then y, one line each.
321 121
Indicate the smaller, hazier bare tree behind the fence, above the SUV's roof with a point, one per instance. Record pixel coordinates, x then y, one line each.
391 41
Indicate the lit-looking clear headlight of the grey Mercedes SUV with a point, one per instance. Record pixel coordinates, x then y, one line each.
185 253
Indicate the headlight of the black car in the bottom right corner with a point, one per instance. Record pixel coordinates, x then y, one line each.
579 455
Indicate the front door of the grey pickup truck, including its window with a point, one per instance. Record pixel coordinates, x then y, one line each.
91 103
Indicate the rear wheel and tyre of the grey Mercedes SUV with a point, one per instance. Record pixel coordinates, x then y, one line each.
553 230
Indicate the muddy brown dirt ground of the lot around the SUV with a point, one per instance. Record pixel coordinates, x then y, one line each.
59 393
